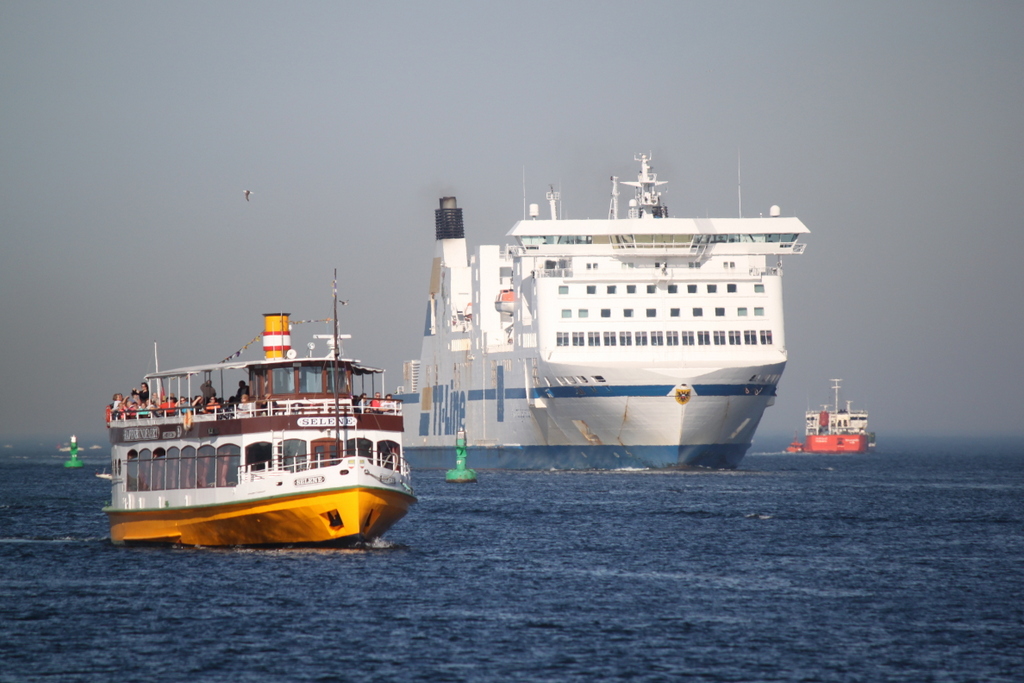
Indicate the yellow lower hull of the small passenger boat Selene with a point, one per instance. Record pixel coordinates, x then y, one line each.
337 517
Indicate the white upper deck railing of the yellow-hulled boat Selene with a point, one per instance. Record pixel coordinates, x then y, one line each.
287 407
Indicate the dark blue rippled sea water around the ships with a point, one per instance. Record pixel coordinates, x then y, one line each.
903 566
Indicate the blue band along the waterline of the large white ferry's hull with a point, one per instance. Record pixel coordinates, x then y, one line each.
714 456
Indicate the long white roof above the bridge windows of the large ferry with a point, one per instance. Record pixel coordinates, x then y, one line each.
649 226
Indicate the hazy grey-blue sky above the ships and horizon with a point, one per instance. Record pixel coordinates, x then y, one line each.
129 132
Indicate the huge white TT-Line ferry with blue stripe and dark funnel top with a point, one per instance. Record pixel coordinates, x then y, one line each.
646 341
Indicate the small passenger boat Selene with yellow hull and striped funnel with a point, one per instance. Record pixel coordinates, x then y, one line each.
300 461
